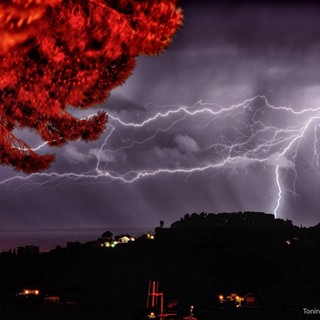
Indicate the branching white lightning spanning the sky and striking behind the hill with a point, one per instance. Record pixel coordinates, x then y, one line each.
251 133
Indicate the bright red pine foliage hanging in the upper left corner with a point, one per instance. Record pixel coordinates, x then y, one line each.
60 53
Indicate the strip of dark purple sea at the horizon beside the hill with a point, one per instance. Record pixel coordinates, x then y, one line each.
49 239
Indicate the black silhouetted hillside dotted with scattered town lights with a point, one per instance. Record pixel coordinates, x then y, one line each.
205 266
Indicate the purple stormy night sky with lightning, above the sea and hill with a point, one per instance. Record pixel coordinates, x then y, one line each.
251 58
